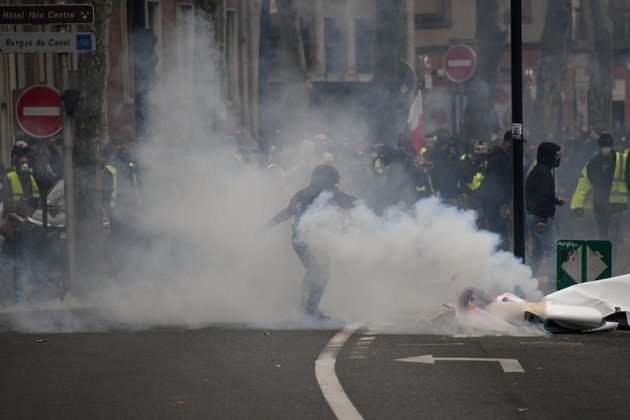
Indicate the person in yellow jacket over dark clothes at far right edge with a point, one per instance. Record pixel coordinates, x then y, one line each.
603 186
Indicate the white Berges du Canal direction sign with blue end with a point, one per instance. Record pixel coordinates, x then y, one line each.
52 42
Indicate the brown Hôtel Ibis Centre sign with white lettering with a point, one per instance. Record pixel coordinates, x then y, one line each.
47 14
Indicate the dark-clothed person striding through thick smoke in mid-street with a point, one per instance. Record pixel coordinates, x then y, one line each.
324 178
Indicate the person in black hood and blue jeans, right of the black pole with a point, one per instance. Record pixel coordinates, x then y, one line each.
540 204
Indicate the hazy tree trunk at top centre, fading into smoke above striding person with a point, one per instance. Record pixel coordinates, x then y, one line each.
293 71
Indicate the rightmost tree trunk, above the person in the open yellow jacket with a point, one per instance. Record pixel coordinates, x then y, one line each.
599 35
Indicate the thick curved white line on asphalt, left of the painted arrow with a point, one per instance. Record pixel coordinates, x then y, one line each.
327 378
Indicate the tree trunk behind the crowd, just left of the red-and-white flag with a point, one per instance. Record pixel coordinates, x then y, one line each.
390 27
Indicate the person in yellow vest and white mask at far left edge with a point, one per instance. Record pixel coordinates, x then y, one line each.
20 197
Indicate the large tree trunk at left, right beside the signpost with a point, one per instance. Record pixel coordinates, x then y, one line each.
93 71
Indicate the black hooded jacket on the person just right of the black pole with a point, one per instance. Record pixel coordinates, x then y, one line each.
540 187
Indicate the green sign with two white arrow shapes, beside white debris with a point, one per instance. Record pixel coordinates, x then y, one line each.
582 261
